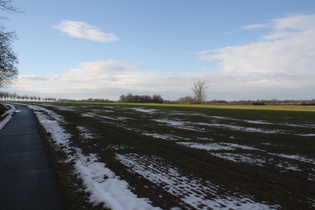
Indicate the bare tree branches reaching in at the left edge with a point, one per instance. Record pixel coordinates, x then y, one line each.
8 59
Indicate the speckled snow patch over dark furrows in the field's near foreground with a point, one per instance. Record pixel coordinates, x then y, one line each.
193 192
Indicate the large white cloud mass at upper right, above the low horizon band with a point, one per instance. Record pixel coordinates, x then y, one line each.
288 50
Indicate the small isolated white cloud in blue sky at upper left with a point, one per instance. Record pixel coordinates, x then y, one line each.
85 31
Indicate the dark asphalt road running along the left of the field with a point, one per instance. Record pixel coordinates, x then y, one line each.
27 180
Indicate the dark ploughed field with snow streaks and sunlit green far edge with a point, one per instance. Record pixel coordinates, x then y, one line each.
200 156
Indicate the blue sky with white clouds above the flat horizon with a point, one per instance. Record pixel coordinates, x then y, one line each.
245 50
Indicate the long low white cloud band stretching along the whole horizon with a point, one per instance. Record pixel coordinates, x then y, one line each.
110 79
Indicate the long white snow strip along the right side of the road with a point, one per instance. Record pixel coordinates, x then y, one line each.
102 184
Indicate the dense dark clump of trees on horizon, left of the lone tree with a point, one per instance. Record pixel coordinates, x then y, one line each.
129 98
